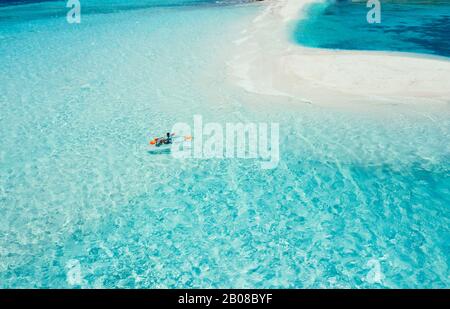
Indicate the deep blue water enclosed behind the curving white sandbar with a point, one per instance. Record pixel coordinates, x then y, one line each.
414 26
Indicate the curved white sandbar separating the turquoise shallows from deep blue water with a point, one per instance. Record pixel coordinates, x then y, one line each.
268 63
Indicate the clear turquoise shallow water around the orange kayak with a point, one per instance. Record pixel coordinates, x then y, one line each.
359 199
